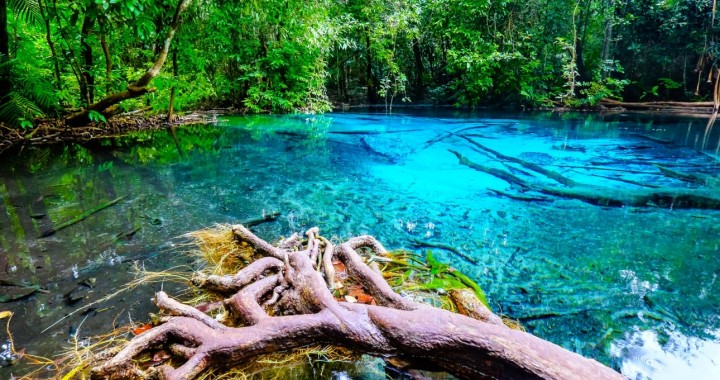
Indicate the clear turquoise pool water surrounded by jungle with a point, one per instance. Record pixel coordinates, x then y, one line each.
632 287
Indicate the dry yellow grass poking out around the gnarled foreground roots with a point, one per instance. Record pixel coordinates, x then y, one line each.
221 254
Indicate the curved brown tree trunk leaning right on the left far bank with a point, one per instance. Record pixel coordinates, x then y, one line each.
141 87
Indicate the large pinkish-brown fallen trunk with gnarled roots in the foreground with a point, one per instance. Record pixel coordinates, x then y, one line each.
291 279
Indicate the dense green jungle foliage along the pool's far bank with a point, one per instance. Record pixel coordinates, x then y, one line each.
58 57
